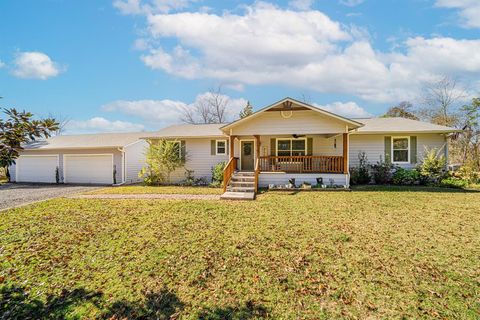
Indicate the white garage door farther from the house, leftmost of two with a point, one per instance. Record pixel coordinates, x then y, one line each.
36 168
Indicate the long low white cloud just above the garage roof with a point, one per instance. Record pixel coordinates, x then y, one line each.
99 124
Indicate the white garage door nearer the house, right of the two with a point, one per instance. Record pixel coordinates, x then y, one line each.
88 168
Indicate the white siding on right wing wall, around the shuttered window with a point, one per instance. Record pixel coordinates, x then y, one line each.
374 146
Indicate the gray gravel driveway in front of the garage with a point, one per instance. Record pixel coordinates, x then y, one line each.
19 194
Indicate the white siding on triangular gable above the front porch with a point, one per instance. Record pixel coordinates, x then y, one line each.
301 122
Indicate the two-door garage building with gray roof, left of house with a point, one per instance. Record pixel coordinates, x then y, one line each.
107 158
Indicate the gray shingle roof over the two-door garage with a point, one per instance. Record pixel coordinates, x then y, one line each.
99 140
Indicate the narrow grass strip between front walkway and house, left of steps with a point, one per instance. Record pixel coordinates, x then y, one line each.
140 189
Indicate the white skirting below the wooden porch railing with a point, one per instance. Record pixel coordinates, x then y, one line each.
264 179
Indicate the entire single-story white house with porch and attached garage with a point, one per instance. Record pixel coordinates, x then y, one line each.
288 139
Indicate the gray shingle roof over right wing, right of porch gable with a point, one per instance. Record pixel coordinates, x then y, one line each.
398 125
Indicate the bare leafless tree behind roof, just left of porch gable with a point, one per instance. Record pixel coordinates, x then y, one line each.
209 108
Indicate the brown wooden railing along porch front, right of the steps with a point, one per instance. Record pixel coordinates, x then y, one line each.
302 164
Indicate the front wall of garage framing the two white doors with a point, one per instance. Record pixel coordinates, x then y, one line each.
117 159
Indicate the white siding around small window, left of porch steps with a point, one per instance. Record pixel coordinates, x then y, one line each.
199 159
